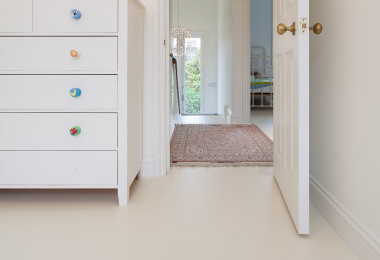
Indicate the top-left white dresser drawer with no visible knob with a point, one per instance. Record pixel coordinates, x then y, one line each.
16 16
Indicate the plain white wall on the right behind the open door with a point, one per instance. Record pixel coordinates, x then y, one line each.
345 107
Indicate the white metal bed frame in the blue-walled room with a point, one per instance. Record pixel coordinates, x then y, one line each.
263 64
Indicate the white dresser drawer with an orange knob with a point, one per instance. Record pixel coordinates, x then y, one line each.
55 53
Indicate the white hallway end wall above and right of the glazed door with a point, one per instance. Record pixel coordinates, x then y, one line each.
202 16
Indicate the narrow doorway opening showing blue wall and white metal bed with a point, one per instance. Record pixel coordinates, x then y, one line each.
261 66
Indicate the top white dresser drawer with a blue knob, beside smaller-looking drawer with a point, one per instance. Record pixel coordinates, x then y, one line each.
94 16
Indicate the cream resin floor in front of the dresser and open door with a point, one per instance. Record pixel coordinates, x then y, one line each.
191 214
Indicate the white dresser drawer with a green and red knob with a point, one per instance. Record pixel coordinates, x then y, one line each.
51 131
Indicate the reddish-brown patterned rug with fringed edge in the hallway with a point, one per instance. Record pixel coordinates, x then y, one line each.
220 145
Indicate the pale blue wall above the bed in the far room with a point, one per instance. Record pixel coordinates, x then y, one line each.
262 24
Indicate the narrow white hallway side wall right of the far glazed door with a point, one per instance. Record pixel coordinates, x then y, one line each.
224 55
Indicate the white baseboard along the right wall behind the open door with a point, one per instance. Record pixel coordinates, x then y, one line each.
361 241
